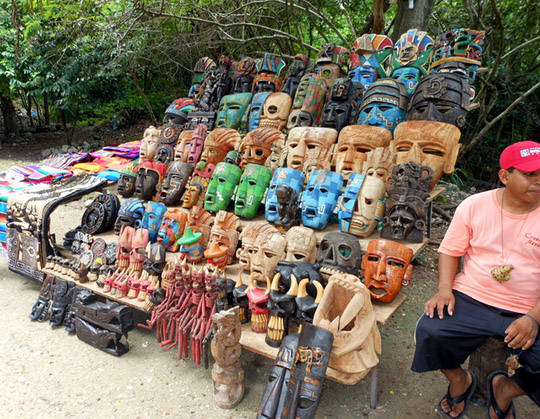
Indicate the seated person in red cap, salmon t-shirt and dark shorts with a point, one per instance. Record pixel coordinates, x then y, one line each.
496 295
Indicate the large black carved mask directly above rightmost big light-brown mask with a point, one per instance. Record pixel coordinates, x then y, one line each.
441 97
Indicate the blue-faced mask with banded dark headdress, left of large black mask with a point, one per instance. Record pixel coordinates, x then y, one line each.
384 104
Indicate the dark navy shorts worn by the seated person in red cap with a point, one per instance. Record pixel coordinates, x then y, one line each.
447 343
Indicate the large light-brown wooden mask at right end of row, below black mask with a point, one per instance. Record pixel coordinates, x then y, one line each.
428 143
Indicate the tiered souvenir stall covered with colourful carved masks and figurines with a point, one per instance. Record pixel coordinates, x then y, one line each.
277 209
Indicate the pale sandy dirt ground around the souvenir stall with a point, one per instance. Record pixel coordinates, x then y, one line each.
47 372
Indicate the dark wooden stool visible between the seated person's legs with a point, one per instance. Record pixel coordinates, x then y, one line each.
489 357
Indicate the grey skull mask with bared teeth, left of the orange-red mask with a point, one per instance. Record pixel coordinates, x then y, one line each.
339 253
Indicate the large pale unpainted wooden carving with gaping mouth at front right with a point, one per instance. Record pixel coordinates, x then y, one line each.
346 311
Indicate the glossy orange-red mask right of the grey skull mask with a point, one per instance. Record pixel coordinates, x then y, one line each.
386 266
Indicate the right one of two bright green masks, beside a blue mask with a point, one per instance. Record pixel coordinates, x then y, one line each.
253 185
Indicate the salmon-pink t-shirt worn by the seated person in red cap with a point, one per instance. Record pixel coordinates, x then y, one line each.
475 232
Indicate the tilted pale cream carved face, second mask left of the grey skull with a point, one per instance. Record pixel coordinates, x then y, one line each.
270 249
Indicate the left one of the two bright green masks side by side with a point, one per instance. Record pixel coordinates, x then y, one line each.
221 187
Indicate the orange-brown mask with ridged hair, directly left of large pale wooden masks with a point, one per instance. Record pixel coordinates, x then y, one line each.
256 146
